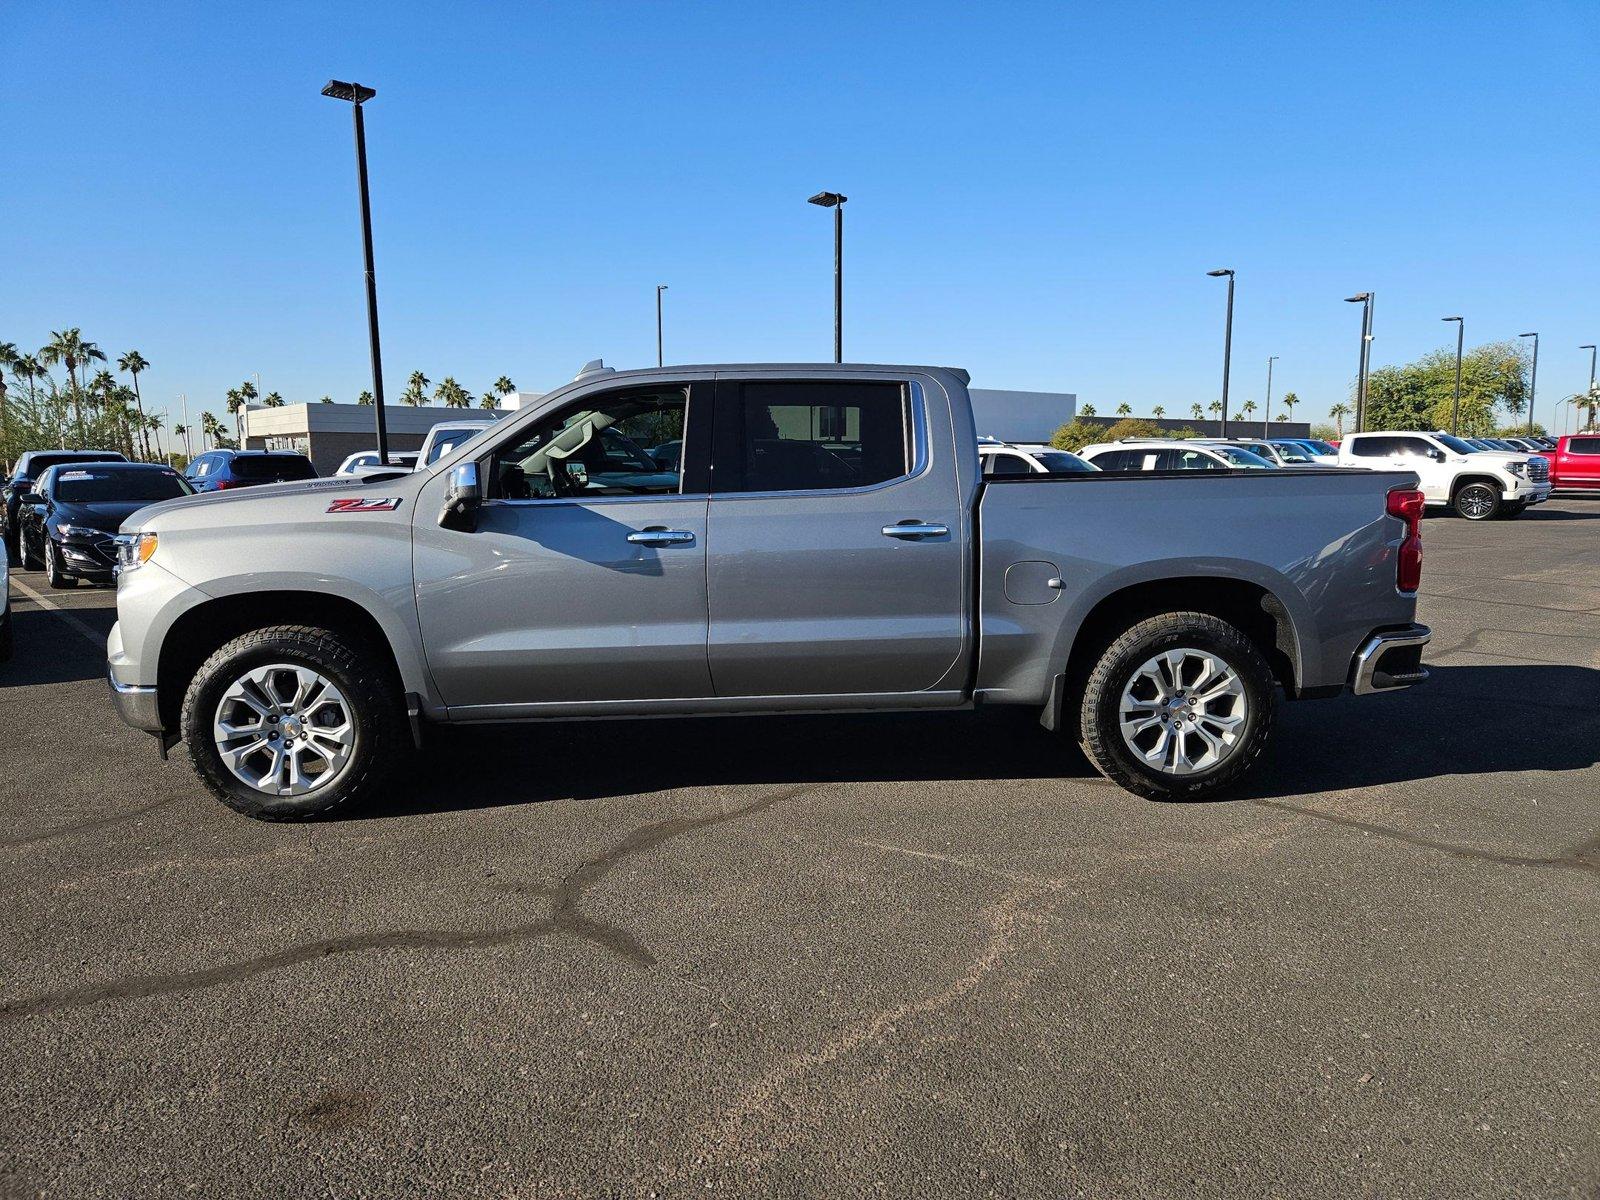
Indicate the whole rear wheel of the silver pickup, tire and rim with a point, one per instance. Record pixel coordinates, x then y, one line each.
1178 708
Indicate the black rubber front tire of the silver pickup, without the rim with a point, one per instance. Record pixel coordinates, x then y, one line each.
374 697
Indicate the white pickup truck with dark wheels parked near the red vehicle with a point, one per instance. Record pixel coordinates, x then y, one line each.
1478 484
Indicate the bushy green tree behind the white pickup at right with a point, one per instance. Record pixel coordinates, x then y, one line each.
1422 394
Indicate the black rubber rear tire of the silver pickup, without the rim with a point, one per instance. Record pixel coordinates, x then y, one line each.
1118 666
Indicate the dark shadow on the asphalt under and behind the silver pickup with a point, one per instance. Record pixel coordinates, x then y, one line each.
1454 726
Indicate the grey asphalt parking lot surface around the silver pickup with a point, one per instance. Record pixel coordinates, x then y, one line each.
831 956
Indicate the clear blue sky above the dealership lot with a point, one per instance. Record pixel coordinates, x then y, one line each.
1036 191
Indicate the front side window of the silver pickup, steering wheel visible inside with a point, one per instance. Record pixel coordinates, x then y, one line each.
593 449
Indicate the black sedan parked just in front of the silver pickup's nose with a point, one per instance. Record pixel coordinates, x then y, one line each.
70 521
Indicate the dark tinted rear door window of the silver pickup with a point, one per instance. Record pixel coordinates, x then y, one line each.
810 436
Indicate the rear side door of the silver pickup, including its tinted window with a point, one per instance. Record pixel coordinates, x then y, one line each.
838 542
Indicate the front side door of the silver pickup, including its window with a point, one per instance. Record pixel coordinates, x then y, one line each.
585 578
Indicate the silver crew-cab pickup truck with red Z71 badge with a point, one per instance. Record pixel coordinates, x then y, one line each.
754 540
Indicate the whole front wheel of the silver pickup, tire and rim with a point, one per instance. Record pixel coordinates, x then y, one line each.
294 722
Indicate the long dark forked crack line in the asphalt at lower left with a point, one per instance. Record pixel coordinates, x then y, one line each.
567 916
